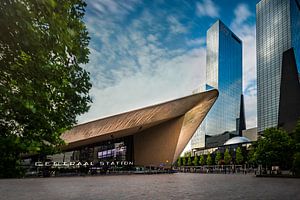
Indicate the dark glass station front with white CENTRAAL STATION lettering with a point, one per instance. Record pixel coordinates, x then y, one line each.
115 154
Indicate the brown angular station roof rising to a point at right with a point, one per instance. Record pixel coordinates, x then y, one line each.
161 130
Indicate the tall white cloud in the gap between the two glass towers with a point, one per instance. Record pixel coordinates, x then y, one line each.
246 32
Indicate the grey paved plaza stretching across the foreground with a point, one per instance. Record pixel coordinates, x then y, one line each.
164 186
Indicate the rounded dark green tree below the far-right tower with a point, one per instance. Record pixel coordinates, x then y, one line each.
273 148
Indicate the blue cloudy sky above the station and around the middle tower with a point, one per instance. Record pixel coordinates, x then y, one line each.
152 51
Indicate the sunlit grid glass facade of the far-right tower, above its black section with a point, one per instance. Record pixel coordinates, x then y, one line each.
277 30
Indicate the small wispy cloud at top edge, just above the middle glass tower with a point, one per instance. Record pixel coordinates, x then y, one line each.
207 8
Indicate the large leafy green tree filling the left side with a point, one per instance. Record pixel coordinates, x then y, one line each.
42 86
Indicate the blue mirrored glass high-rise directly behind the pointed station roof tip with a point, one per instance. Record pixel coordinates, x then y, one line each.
223 72
